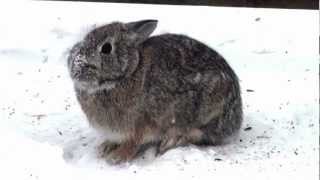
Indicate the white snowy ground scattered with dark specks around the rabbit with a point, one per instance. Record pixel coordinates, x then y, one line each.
44 134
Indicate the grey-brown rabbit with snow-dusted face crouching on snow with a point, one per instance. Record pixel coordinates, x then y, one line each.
161 91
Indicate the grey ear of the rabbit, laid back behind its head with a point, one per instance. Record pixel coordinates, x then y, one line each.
143 28
